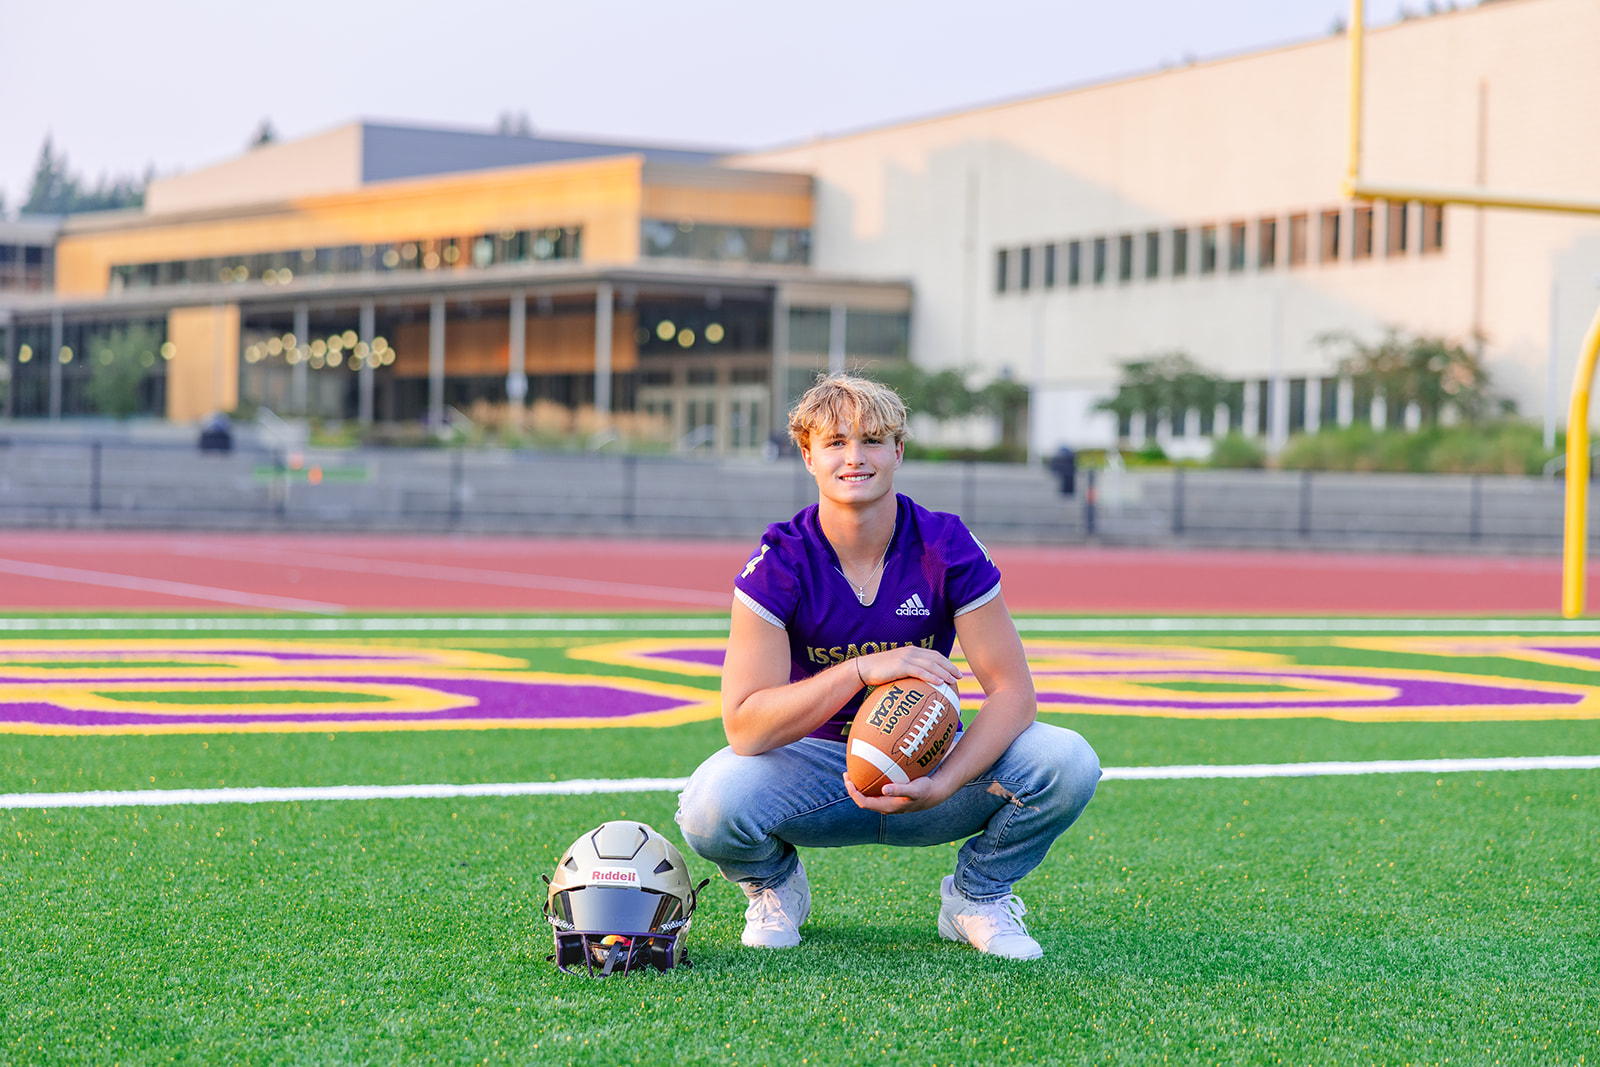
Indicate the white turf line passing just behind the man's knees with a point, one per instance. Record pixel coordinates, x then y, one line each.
586 786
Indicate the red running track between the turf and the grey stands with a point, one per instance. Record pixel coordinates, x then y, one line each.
199 572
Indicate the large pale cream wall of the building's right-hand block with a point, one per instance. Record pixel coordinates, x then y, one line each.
1505 92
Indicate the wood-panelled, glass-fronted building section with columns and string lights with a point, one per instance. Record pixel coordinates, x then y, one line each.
497 297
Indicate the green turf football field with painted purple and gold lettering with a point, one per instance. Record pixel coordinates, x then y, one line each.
1418 919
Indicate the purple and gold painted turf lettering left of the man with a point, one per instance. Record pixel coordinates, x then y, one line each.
228 687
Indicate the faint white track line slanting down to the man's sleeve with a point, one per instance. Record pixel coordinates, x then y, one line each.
450 573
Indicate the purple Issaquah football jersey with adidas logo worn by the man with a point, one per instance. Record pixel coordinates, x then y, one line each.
934 572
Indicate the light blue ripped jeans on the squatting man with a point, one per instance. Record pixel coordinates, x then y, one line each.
748 813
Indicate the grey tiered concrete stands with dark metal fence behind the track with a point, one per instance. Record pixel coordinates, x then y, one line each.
121 484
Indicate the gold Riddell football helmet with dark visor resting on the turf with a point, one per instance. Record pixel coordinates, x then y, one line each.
622 900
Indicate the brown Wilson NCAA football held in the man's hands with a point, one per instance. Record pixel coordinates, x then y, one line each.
902 733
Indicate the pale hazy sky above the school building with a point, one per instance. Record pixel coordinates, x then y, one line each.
177 86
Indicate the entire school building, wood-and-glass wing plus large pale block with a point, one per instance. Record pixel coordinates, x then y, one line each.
390 274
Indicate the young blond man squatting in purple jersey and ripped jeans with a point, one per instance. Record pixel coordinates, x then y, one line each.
858 591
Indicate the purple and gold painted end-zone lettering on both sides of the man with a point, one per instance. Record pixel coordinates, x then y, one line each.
150 687
